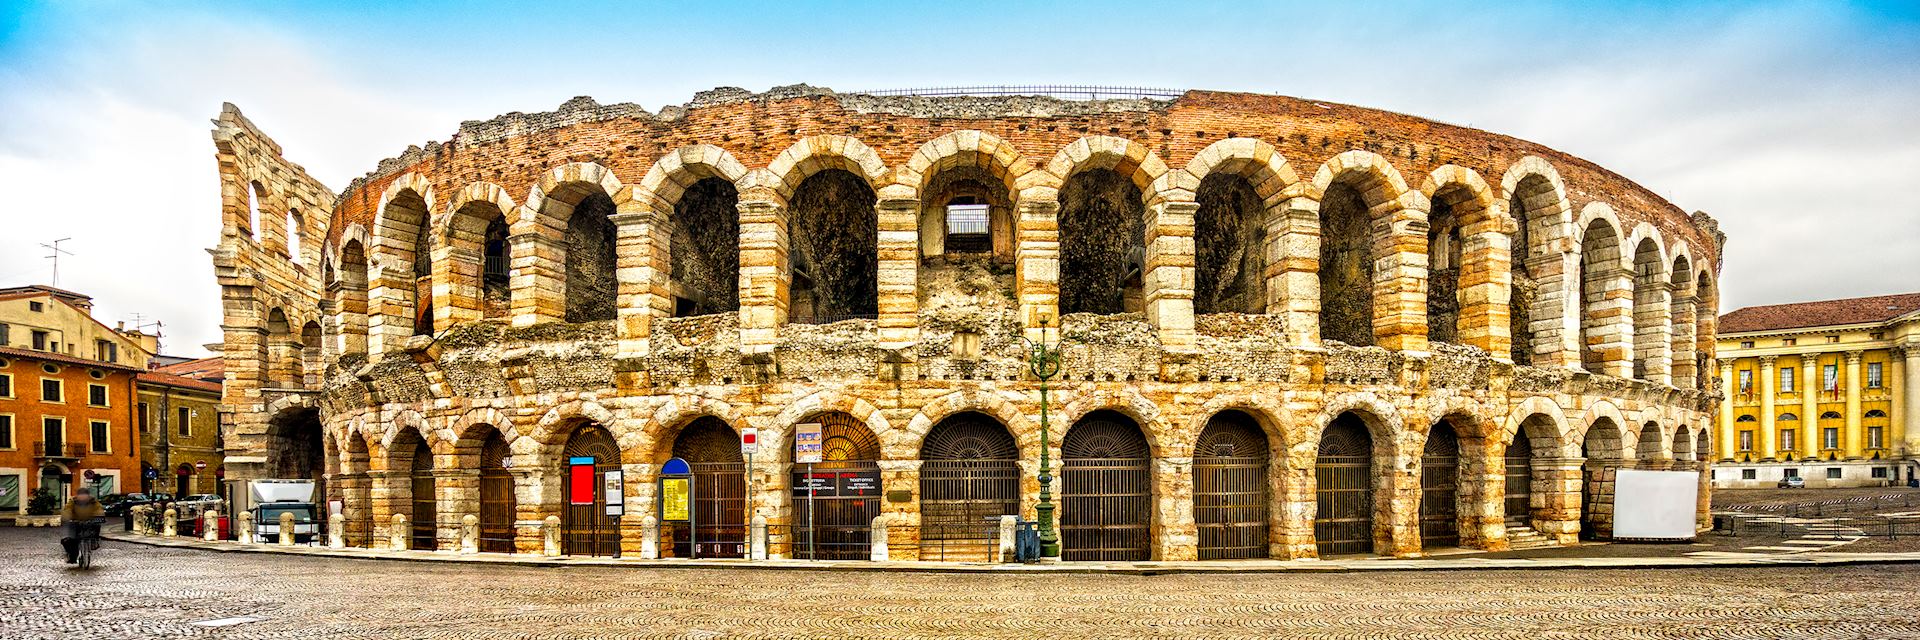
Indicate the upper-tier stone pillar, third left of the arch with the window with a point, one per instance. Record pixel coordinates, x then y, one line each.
644 276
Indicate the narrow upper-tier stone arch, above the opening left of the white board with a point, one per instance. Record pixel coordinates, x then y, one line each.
1606 293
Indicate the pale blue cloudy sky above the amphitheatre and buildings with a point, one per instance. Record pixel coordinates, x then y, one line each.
1796 124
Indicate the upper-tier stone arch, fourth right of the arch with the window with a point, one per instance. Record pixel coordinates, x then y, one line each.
1468 255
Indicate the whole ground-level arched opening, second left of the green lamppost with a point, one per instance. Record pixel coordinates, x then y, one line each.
838 499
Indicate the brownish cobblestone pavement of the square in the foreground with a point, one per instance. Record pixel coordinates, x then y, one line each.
158 593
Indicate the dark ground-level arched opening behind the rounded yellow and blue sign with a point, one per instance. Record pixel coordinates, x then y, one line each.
711 451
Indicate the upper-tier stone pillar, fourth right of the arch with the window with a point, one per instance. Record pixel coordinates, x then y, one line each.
1401 283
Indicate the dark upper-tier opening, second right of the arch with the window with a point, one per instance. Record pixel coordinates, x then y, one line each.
1230 247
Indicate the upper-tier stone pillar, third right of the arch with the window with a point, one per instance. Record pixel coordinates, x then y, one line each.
1293 270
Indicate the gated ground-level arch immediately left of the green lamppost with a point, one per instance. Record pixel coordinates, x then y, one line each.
969 478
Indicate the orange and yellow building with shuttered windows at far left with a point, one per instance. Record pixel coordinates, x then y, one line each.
66 420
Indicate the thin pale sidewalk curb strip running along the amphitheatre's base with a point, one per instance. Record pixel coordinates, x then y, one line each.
1143 570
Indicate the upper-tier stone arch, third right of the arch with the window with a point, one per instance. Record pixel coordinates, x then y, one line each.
1364 205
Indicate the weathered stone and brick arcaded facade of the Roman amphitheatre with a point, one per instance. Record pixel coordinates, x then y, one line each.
446 305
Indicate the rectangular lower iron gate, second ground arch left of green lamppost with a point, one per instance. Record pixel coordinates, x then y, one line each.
840 524
